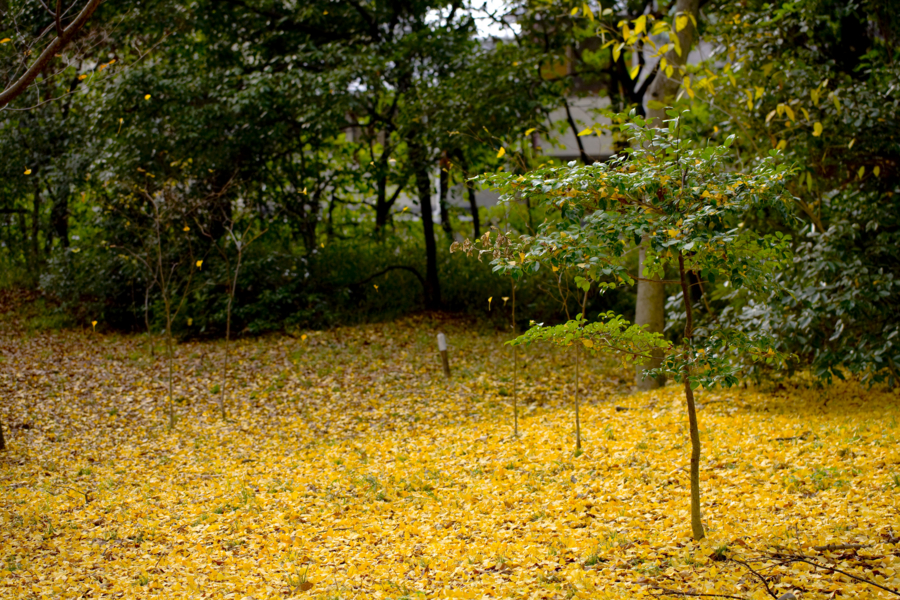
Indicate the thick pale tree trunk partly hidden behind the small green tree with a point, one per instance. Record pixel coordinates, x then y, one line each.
651 296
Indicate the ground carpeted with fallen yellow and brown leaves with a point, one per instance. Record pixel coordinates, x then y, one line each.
352 469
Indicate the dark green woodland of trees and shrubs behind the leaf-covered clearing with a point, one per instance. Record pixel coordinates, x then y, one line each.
343 129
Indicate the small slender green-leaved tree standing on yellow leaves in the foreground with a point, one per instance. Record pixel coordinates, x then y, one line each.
686 205
